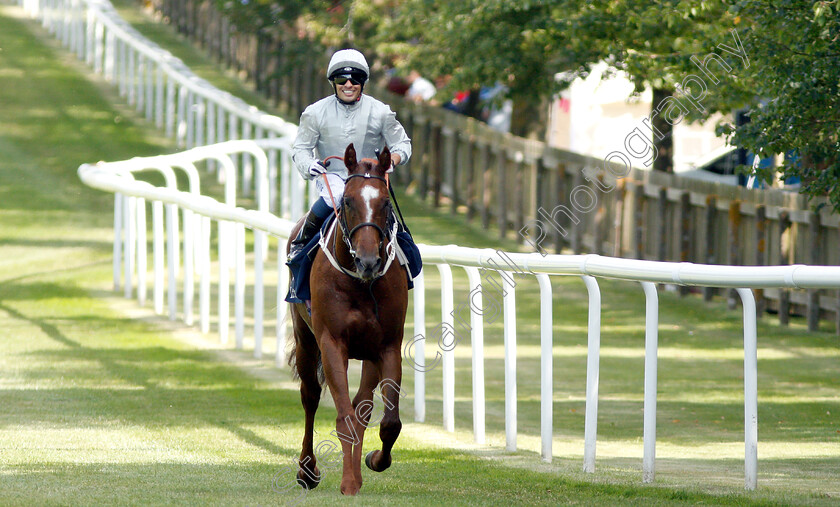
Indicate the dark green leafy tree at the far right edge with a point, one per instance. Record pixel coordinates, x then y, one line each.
795 48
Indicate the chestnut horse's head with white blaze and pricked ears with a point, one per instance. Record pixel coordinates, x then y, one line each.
366 210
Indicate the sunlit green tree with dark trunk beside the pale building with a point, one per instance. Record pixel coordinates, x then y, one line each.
529 43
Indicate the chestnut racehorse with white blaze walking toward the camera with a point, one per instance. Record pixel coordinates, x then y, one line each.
359 300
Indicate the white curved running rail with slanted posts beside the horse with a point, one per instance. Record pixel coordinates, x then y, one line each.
484 268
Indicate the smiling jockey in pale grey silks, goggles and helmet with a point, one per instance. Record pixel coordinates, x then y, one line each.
332 123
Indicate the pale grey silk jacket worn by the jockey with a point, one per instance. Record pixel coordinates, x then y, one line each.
329 125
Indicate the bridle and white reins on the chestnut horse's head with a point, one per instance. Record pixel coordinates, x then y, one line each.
341 220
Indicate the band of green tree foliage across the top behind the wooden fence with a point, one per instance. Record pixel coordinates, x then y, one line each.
788 85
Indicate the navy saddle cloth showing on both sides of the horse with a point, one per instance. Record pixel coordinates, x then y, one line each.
301 264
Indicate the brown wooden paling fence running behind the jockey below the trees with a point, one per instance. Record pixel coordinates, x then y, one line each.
516 185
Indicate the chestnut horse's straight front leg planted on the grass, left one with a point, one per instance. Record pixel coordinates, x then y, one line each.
334 359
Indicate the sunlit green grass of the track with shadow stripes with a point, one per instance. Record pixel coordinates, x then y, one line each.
103 408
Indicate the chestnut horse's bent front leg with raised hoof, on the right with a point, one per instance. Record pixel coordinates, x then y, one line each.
389 428
